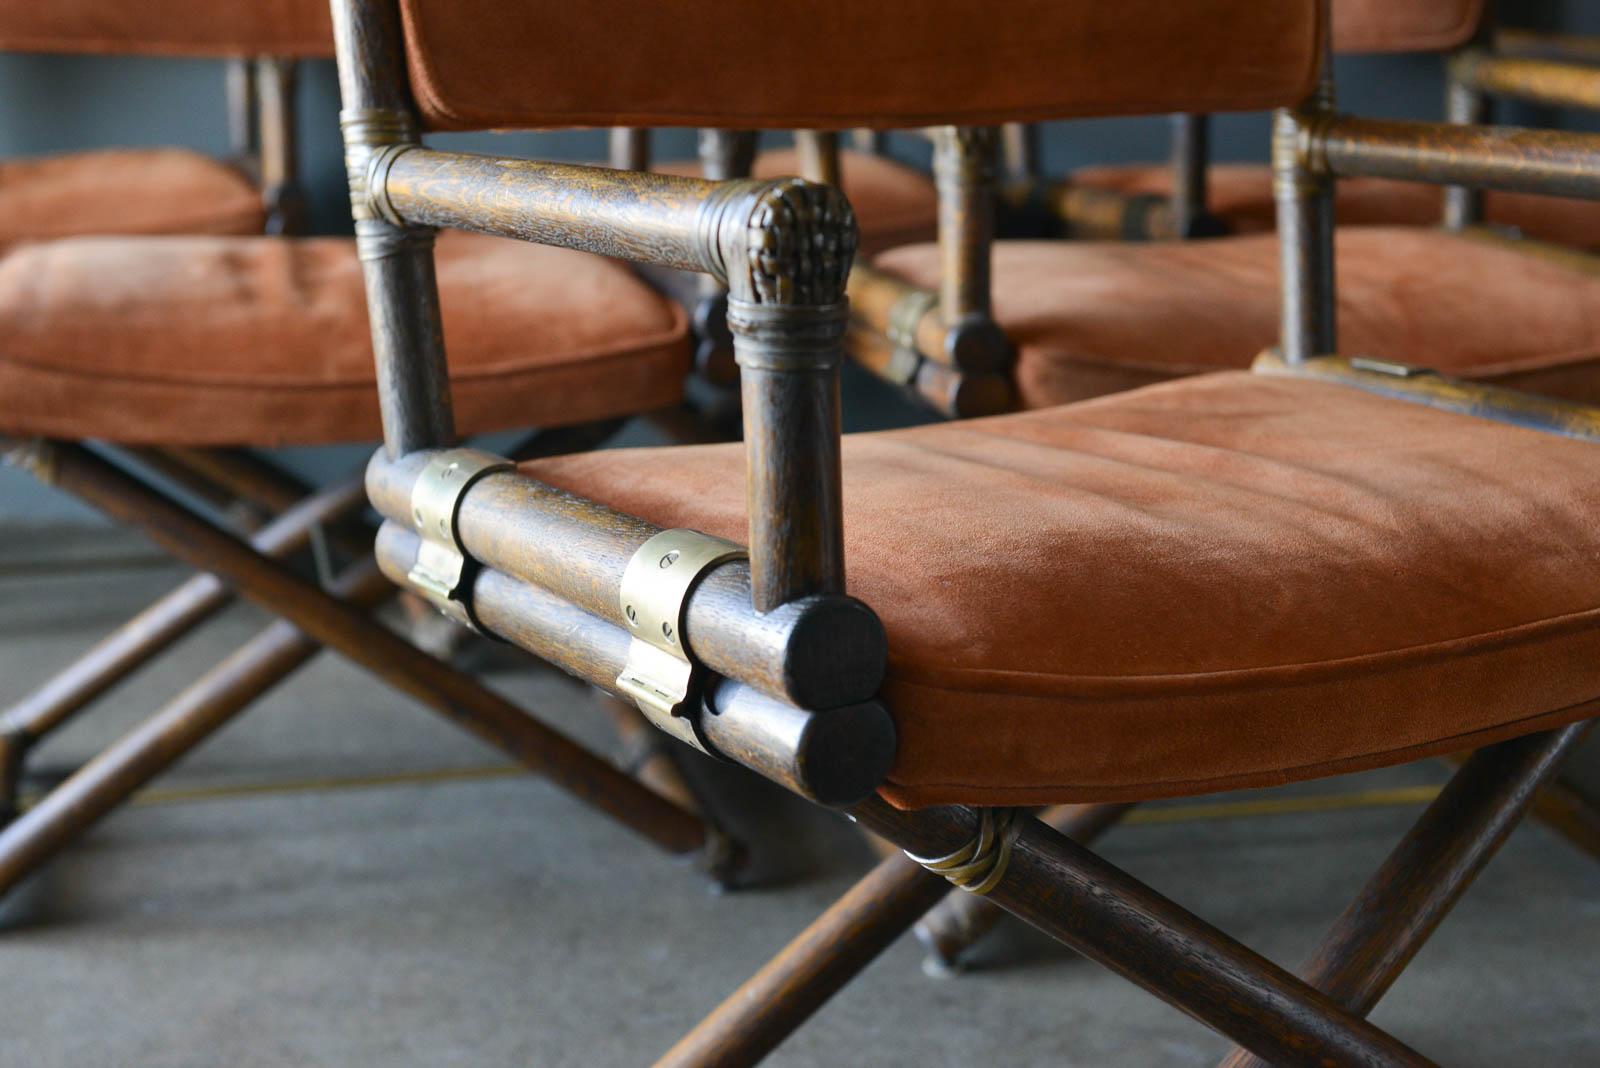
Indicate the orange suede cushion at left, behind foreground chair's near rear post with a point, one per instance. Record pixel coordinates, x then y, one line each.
265 341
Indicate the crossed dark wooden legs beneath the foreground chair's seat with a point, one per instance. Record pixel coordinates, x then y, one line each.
1074 896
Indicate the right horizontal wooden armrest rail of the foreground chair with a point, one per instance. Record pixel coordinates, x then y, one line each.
1513 159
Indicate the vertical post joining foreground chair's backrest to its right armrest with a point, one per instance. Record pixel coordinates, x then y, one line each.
1305 204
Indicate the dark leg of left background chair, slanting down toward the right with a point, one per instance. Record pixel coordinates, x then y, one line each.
348 631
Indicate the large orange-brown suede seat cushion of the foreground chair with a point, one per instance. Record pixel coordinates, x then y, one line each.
1228 581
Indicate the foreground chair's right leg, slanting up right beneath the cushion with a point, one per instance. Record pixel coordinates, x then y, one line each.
1430 871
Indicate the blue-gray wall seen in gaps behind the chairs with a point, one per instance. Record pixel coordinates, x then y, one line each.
63 103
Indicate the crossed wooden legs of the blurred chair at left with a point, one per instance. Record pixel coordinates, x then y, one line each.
665 811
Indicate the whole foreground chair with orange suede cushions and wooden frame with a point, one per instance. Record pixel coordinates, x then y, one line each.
1079 605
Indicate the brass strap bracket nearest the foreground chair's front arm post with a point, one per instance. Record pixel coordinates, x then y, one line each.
660 675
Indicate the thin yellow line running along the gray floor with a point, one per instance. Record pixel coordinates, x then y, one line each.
1180 813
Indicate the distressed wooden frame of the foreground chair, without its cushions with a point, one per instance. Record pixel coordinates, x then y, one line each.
548 570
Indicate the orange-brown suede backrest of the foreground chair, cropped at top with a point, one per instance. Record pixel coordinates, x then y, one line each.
844 63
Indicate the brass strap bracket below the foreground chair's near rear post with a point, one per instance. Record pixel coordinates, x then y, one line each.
442 567
